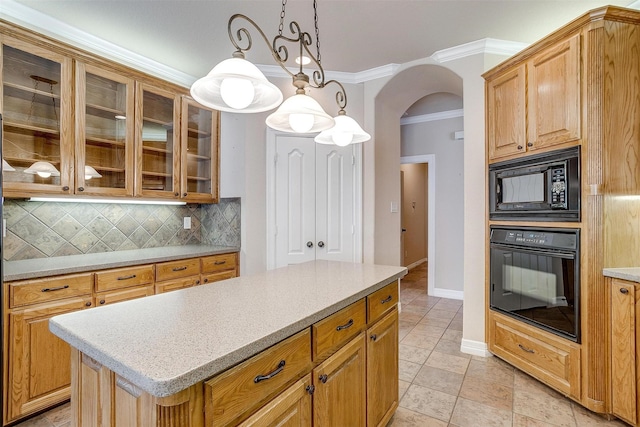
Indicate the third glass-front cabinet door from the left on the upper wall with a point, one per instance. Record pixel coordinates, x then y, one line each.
158 143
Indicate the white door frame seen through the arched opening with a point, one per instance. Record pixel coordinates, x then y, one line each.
430 159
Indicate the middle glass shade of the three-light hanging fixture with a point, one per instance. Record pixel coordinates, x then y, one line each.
300 114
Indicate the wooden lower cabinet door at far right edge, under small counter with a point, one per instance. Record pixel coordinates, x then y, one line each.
625 337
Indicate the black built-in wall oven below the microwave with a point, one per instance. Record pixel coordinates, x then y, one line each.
535 277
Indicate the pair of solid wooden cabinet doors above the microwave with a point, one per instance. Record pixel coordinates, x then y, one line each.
536 104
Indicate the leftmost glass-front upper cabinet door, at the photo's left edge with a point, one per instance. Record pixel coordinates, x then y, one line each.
37 127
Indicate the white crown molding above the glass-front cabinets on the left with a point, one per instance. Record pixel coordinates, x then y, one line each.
26 17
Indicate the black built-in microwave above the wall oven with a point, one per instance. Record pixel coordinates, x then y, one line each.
539 187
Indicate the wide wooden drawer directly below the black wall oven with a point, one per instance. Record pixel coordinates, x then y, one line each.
552 360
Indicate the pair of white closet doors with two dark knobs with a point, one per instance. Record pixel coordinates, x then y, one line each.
314 201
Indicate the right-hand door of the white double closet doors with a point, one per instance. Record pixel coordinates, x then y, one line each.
334 202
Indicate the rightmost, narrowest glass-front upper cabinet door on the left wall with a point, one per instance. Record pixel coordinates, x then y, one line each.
199 155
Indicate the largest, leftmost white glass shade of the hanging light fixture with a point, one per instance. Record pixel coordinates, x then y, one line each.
236 85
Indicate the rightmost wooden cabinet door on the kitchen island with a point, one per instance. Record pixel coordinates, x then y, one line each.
382 370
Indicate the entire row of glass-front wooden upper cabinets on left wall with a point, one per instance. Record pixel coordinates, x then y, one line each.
76 124
